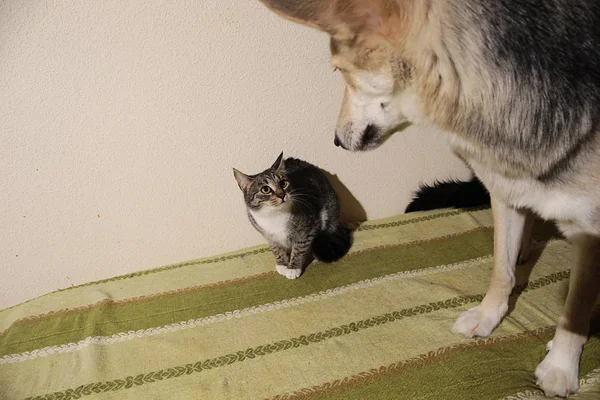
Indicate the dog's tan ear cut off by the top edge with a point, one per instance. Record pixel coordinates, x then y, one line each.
343 19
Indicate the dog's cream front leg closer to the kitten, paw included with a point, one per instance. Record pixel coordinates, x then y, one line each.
509 224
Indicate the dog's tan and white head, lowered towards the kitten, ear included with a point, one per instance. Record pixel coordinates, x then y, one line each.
362 32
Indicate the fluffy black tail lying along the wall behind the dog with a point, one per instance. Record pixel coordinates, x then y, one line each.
449 194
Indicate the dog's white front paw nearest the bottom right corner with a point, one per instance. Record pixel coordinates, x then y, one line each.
557 378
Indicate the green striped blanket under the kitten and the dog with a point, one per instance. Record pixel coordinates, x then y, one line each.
375 325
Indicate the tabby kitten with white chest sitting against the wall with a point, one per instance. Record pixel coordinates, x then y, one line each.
293 205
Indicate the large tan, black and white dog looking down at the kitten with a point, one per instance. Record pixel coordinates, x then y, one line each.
516 85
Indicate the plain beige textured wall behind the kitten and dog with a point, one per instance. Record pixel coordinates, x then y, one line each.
121 120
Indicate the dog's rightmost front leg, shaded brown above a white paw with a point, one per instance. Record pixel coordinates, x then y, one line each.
558 374
